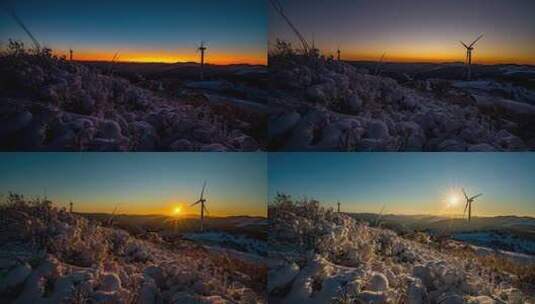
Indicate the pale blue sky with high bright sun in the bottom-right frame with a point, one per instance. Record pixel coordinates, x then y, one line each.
408 183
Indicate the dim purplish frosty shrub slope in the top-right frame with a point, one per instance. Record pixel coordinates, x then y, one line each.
325 105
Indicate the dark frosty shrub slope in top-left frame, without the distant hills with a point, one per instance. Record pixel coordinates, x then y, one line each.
56 105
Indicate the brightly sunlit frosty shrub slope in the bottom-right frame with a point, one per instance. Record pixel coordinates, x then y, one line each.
320 256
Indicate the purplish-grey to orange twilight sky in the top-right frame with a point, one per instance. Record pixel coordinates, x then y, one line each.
413 30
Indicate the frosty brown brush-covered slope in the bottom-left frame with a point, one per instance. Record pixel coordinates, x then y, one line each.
52 256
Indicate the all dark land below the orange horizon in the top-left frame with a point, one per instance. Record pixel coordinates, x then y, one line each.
50 104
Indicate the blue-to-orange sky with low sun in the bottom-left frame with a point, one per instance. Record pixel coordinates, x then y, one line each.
141 183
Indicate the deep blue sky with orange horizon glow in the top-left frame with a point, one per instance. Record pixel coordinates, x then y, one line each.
157 30
